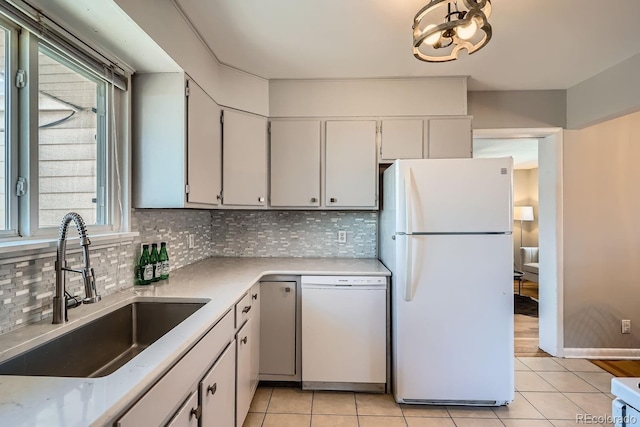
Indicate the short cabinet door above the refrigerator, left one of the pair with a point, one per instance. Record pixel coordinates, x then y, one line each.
401 139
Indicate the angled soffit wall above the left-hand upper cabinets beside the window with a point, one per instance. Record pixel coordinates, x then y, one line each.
170 30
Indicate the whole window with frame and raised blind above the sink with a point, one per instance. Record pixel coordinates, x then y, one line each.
60 128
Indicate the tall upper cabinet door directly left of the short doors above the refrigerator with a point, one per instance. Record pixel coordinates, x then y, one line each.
351 167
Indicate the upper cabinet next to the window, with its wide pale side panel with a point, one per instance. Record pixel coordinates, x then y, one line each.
176 143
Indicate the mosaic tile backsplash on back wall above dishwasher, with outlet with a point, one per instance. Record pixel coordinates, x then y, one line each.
294 234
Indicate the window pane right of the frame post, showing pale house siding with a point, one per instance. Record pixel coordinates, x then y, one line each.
71 148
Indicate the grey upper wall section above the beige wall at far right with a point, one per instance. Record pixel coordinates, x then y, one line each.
612 93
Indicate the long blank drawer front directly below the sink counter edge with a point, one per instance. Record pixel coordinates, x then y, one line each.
161 400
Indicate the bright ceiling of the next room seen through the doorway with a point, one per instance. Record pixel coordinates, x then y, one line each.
523 150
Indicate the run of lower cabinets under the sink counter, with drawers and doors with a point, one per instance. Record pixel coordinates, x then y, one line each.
213 384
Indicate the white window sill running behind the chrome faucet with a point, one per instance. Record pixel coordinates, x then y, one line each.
19 247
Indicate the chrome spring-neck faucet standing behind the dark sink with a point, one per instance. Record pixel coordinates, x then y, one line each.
91 295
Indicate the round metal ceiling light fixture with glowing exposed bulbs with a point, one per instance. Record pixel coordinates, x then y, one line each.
443 28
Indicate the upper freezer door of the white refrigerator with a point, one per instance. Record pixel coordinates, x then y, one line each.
454 196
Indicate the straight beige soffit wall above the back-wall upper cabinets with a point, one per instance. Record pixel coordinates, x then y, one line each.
368 97
